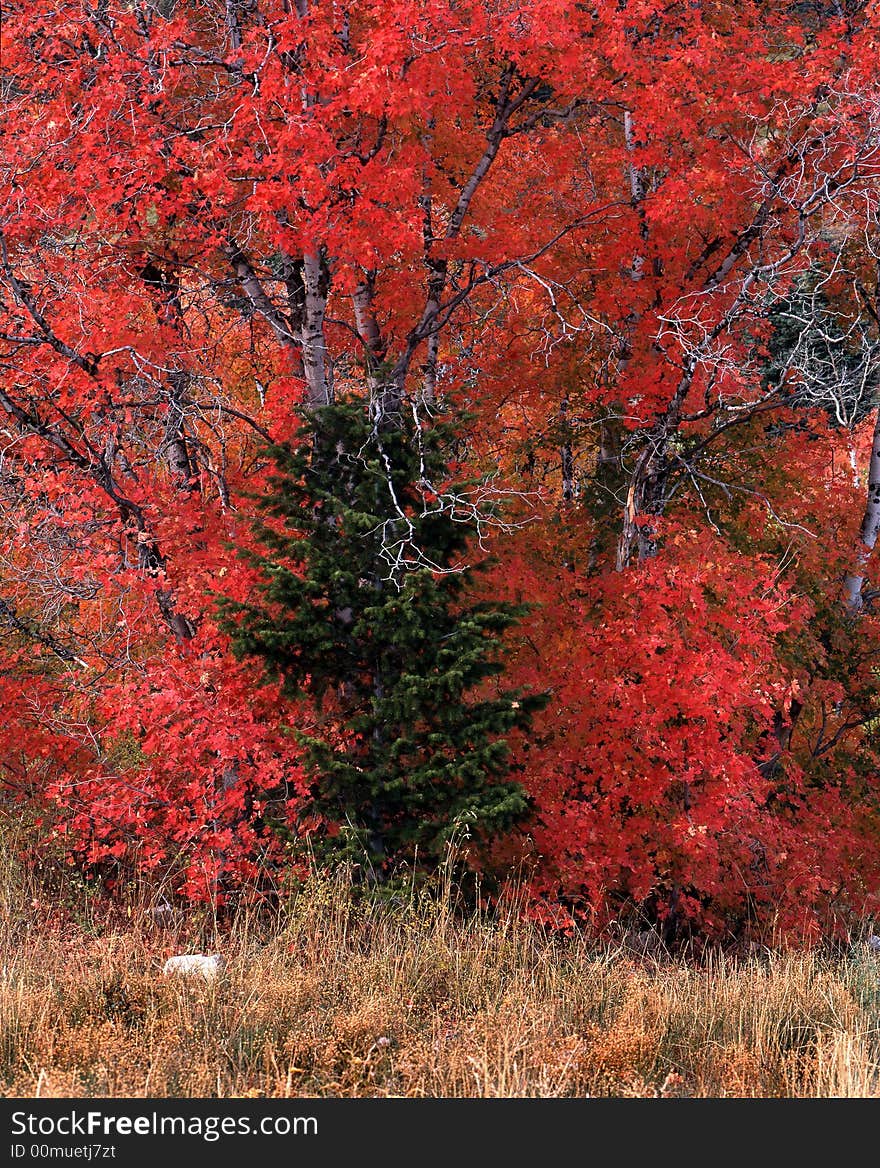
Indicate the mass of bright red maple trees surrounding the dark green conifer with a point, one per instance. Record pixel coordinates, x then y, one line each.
630 251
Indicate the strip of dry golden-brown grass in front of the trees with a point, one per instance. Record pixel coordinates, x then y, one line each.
336 998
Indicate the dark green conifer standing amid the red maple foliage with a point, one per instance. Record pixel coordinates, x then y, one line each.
364 607
